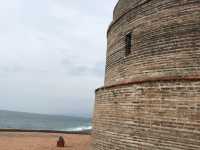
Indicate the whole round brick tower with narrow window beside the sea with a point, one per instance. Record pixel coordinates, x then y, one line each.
151 97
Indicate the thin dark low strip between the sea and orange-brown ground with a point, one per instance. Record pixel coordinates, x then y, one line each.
84 132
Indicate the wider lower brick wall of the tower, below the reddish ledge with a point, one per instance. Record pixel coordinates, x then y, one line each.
148 116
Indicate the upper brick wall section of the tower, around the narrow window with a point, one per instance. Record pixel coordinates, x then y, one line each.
166 42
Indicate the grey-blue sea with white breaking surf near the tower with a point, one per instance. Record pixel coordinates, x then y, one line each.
30 121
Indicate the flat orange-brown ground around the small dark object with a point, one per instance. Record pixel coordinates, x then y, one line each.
42 141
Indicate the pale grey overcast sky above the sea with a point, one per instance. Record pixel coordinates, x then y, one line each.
52 54
